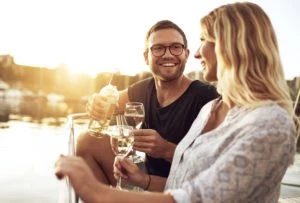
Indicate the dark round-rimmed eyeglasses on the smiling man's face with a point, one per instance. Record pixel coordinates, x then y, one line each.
159 50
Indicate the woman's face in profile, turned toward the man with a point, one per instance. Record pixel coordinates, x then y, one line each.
206 54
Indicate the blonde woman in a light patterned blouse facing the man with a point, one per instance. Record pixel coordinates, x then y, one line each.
241 144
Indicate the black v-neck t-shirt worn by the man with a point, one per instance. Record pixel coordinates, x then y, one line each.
173 121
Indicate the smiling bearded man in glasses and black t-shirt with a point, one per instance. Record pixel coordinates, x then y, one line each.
172 101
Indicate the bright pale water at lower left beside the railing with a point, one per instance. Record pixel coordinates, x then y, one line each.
28 152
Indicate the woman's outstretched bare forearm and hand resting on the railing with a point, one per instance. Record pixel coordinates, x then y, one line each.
91 191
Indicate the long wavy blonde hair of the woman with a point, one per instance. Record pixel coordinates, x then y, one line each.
250 72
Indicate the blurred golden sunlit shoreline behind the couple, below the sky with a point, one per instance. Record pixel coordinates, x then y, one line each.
38 92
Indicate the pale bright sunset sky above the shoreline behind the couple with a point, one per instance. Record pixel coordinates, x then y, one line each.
93 35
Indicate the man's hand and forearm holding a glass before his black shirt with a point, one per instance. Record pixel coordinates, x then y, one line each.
150 142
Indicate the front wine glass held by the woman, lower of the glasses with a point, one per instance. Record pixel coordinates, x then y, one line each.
121 141
